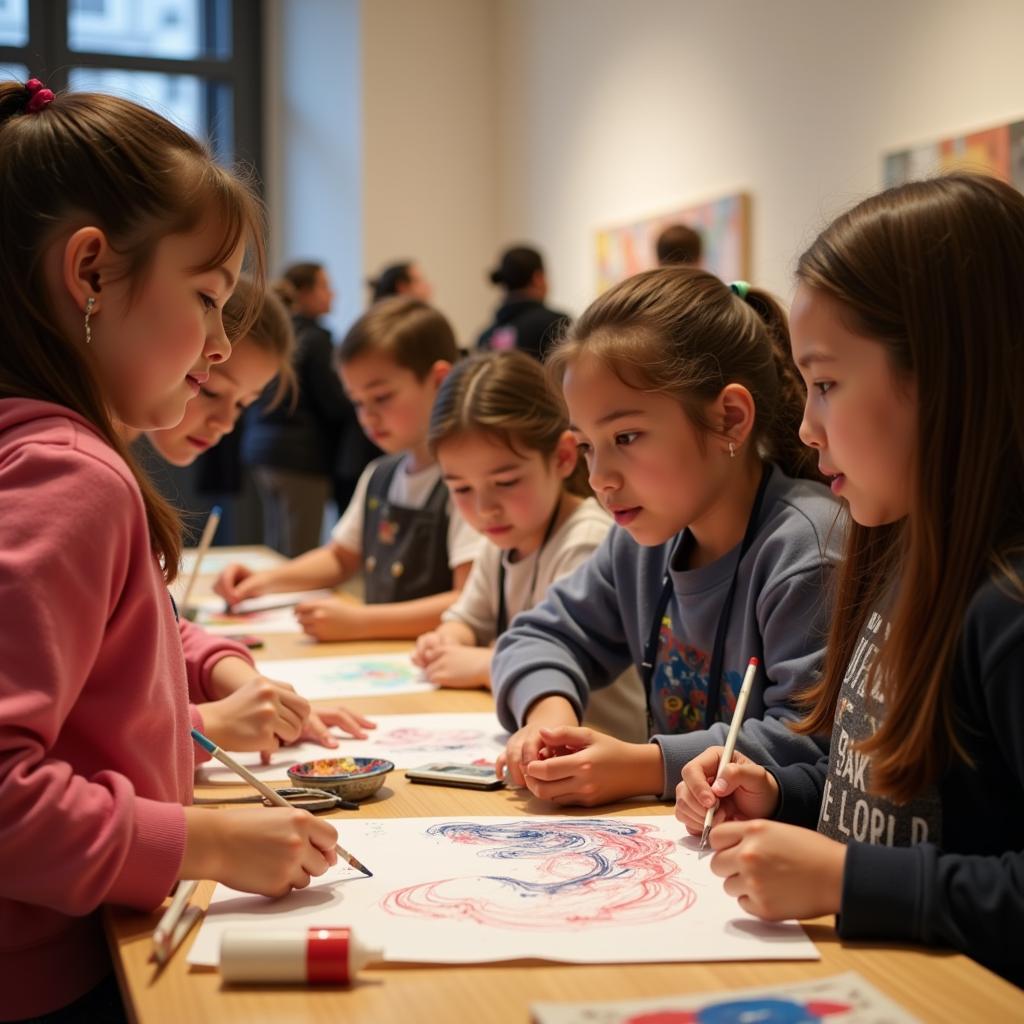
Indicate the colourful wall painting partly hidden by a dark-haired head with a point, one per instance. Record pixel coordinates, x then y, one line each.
723 226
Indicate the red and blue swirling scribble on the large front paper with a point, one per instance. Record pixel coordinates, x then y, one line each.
577 874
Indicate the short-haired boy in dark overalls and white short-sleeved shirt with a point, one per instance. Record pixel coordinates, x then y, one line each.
414 551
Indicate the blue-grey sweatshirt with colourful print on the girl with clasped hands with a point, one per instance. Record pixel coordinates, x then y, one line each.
595 623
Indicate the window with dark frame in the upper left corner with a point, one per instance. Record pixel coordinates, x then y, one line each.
196 62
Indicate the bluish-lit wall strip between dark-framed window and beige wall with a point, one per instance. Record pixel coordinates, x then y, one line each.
314 125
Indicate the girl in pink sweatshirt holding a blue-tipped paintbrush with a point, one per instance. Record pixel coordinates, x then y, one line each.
120 242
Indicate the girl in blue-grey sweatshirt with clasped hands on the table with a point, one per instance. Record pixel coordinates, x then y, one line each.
685 402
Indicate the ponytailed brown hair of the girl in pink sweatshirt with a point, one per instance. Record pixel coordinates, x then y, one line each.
103 161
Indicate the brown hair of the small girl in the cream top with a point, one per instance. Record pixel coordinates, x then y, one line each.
507 397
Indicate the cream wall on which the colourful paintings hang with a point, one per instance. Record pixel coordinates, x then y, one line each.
611 111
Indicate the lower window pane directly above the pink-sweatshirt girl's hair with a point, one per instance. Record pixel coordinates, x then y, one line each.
202 108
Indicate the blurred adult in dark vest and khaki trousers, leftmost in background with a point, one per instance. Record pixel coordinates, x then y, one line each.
292 448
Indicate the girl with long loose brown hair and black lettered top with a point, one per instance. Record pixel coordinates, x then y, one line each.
908 326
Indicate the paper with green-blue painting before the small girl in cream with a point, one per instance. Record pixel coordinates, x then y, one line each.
349 676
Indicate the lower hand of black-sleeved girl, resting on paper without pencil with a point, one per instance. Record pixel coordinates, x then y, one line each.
779 872
